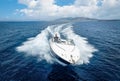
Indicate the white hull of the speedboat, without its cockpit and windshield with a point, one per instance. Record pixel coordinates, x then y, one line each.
67 53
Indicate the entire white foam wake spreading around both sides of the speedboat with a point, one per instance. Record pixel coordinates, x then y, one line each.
39 45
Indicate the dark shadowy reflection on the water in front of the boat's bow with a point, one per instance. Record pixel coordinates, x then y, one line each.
62 73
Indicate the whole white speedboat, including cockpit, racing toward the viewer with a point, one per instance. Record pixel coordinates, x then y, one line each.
64 50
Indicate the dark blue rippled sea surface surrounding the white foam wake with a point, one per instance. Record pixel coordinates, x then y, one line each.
103 66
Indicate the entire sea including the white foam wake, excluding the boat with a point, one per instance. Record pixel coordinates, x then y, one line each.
25 52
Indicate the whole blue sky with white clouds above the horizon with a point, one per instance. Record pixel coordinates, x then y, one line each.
54 9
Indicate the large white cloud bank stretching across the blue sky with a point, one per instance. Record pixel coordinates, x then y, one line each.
48 10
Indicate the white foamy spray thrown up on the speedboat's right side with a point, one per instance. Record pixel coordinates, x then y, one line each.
85 48
